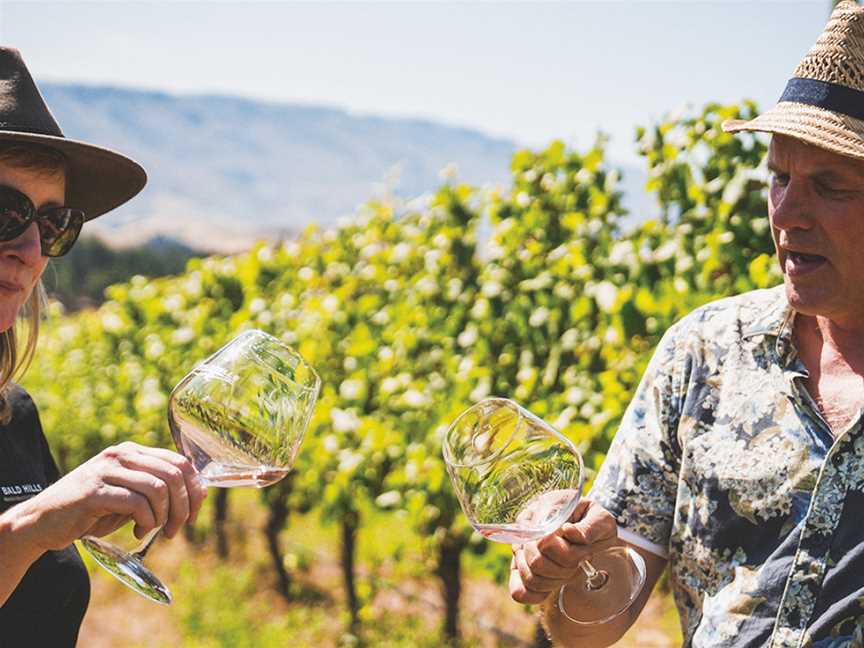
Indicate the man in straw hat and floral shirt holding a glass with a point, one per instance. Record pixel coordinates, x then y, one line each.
740 461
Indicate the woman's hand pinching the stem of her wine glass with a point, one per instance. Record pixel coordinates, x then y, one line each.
152 486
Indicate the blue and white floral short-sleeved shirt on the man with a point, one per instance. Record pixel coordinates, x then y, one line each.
724 462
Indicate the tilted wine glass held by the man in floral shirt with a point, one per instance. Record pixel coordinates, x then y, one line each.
518 480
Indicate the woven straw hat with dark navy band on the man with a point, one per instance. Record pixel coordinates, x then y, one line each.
823 103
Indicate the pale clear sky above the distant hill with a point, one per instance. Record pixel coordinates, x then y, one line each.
528 71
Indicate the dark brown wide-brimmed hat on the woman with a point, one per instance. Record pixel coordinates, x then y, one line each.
97 179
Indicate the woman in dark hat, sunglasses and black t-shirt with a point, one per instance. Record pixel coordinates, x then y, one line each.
48 187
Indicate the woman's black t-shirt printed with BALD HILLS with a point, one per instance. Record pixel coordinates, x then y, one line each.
47 607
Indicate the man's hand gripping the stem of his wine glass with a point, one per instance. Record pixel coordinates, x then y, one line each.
545 566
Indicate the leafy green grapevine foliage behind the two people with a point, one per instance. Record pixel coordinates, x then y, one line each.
409 320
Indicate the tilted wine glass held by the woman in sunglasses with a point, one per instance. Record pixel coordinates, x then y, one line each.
239 417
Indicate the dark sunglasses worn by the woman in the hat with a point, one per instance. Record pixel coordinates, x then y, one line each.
58 226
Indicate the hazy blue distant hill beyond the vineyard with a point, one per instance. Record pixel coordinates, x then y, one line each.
225 171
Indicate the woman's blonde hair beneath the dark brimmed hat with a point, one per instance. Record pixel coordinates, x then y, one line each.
18 342
